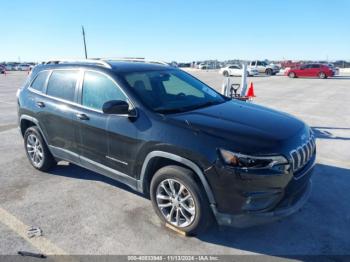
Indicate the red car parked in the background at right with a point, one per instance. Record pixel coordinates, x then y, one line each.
310 70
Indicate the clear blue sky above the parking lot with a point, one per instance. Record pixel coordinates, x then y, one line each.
180 30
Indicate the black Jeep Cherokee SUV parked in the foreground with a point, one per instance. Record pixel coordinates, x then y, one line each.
197 154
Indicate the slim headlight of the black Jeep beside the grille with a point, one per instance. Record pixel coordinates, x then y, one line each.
254 162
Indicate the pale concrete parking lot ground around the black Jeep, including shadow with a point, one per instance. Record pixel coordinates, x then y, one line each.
81 212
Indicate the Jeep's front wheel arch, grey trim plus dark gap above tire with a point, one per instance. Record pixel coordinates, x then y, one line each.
158 159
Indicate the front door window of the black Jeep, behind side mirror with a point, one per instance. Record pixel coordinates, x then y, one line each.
98 89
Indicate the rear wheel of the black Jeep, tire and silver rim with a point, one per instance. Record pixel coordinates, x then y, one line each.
47 160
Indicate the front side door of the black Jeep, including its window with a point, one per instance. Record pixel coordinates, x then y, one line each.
103 138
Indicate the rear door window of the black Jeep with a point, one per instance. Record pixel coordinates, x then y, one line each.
62 84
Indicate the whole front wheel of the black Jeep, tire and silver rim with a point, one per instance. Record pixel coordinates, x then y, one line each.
179 200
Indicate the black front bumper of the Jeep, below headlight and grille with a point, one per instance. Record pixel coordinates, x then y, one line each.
291 197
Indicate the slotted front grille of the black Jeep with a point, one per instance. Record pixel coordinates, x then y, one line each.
303 154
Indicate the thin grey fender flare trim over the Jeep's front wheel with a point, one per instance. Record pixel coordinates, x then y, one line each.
181 160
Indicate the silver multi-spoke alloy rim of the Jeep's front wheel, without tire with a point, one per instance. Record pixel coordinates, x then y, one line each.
176 203
